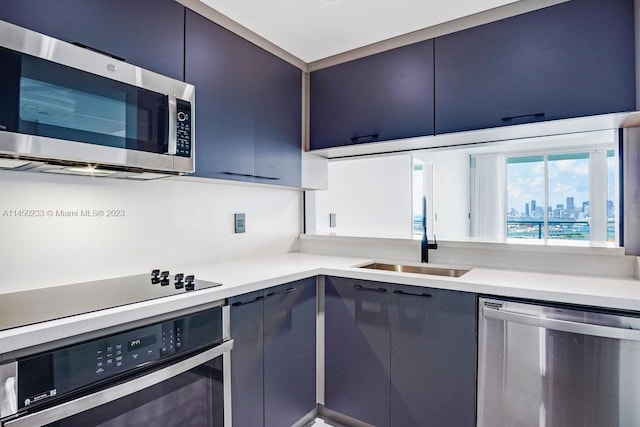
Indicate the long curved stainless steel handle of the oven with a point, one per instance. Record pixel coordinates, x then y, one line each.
94 400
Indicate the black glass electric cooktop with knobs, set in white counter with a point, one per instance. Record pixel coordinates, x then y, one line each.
41 305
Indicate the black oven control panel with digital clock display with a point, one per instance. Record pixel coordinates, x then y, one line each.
59 372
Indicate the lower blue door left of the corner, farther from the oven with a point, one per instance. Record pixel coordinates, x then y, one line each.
289 352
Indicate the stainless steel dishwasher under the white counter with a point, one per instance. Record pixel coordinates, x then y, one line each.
557 366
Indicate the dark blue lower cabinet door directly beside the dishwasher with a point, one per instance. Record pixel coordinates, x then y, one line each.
433 357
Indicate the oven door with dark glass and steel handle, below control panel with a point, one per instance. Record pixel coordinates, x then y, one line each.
190 392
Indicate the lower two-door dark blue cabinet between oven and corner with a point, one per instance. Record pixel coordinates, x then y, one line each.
273 362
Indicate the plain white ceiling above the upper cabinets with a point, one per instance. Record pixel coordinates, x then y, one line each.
316 29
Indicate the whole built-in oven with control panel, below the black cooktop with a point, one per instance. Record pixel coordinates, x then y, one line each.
171 372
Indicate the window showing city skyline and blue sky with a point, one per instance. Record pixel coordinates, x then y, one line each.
562 196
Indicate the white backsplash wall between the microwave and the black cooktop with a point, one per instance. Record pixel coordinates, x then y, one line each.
168 223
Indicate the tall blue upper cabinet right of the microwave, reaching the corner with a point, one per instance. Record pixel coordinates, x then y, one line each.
248 107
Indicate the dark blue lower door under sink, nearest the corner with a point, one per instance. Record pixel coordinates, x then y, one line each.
357 349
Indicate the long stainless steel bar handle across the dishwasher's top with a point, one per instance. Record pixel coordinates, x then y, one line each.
563 325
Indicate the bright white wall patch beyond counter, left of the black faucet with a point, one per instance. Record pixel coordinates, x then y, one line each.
370 197
